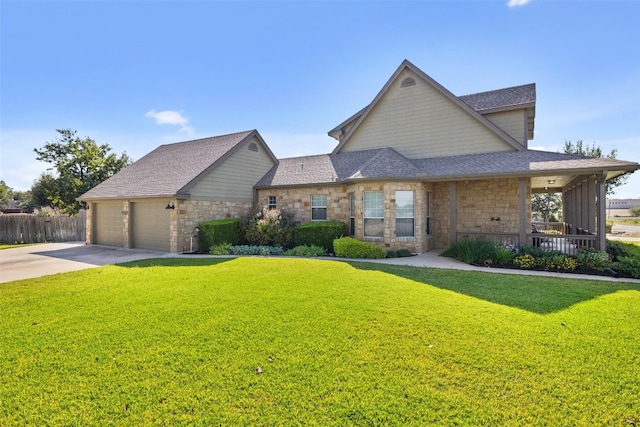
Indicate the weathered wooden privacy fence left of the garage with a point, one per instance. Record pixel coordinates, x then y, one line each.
34 229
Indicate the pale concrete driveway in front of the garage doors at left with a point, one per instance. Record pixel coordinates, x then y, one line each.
26 262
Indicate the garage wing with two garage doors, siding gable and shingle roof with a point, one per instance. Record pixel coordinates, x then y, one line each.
157 202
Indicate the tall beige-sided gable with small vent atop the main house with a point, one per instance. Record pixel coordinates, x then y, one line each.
419 118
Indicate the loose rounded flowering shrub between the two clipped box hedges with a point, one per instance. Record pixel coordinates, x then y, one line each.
271 227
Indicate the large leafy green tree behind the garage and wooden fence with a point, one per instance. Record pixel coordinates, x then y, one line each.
81 164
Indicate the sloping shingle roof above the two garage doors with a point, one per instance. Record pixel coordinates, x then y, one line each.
168 169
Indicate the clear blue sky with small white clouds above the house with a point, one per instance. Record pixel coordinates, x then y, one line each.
138 74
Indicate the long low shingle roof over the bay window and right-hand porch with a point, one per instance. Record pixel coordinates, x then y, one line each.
386 163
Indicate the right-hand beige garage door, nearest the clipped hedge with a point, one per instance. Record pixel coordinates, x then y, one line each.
151 226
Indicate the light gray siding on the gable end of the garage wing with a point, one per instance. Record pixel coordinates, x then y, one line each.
233 179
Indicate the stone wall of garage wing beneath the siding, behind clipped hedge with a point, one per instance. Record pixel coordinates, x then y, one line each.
189 213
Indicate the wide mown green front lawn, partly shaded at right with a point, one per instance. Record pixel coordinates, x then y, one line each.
178 341
